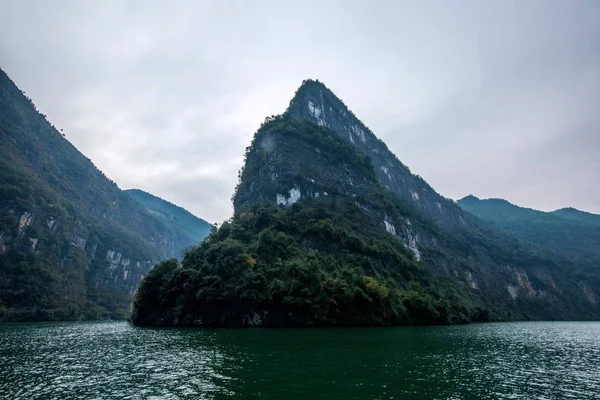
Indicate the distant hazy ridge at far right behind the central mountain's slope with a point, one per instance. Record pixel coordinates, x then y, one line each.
568 232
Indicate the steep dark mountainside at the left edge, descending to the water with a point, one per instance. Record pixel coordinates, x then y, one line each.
72 244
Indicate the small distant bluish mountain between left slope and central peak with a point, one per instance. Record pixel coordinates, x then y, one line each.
191 229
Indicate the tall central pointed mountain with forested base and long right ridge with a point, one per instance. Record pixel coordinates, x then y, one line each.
330 228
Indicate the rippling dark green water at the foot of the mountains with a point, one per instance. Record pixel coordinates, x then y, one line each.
113 360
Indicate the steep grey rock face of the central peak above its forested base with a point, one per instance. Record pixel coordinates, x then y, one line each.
283 169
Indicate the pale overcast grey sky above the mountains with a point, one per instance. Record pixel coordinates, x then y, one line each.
490 98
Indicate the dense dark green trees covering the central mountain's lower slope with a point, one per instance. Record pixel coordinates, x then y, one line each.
308 265
